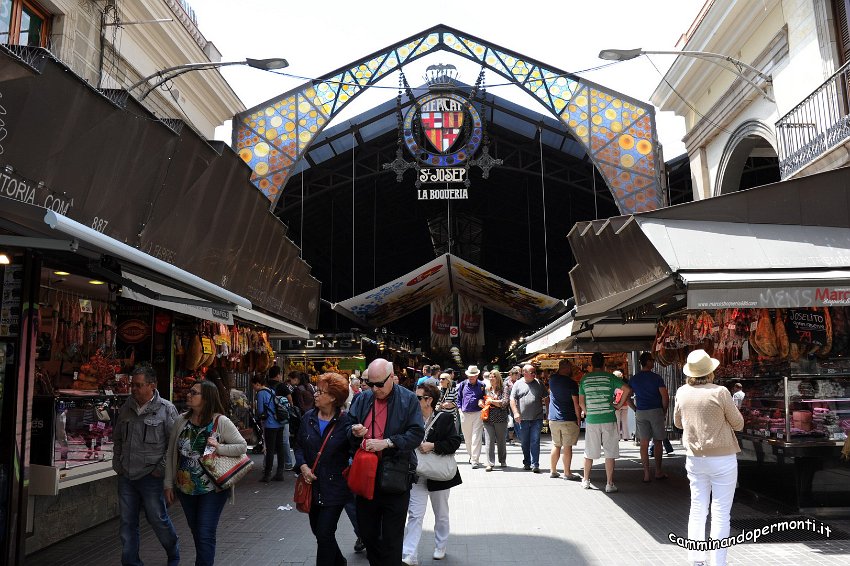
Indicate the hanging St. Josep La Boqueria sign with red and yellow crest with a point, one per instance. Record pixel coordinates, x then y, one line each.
442 130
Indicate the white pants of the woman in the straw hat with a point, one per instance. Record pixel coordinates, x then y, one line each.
712 478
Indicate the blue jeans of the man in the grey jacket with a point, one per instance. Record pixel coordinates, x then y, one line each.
133 496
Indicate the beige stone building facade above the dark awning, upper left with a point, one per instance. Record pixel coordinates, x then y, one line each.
112 44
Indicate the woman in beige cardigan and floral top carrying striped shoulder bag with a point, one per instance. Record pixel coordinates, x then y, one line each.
199 429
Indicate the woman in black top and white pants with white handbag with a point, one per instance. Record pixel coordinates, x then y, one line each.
441 438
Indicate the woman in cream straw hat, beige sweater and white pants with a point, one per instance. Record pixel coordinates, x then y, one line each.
709 418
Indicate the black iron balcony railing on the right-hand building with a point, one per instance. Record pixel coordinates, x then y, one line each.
816 125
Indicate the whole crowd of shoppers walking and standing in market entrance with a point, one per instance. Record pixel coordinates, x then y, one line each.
158 451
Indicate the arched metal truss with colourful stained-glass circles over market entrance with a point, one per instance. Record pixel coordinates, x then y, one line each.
618 132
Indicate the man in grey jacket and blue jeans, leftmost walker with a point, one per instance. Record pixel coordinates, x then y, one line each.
140 437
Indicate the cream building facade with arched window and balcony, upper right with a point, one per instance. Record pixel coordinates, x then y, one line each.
745 129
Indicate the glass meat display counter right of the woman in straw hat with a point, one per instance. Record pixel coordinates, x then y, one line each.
794 429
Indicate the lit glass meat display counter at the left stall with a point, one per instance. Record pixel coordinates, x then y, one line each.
71 439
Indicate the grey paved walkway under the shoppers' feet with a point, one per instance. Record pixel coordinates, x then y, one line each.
503 517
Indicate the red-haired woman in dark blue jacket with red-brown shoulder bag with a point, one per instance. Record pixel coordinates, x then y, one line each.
330 491
